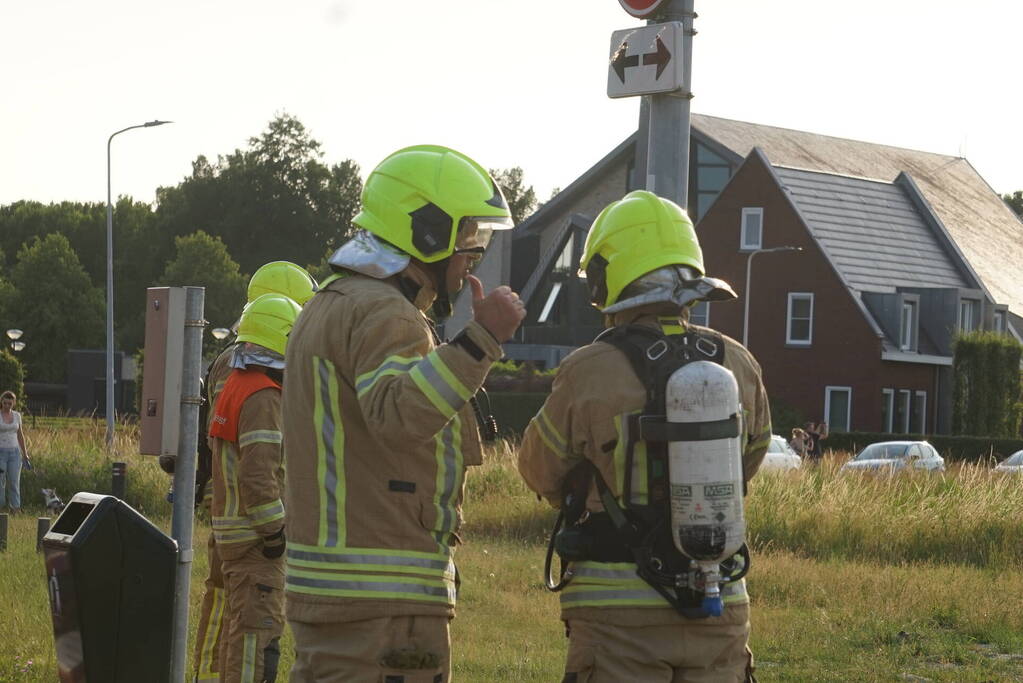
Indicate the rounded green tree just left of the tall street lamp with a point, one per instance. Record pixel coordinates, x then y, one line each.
56 304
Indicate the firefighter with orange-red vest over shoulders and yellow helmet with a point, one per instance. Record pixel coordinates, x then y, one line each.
248 480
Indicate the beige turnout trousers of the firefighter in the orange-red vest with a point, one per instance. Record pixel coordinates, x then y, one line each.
254 618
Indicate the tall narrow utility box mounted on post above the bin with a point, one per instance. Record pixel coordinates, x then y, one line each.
160 413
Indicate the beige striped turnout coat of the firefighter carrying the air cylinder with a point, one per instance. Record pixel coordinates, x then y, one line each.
587 417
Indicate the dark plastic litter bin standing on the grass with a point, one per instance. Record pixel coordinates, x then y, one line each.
111 577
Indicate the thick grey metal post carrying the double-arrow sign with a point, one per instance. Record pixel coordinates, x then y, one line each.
669 145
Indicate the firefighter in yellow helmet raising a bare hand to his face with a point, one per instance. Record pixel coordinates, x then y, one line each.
379 423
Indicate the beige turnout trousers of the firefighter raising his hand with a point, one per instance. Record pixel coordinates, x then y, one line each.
390 650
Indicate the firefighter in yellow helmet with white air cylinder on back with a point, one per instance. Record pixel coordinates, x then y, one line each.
589 452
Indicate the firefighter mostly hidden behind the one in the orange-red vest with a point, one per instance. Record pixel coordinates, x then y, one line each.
280 278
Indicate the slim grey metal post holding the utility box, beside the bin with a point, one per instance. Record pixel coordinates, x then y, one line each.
185 476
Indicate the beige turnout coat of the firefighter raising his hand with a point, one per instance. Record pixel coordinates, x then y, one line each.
378 435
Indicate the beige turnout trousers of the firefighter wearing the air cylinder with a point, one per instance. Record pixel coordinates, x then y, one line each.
713 651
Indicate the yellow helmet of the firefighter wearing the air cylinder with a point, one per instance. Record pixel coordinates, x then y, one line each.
637 236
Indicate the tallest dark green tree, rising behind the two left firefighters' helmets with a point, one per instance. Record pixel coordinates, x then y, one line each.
274 201
